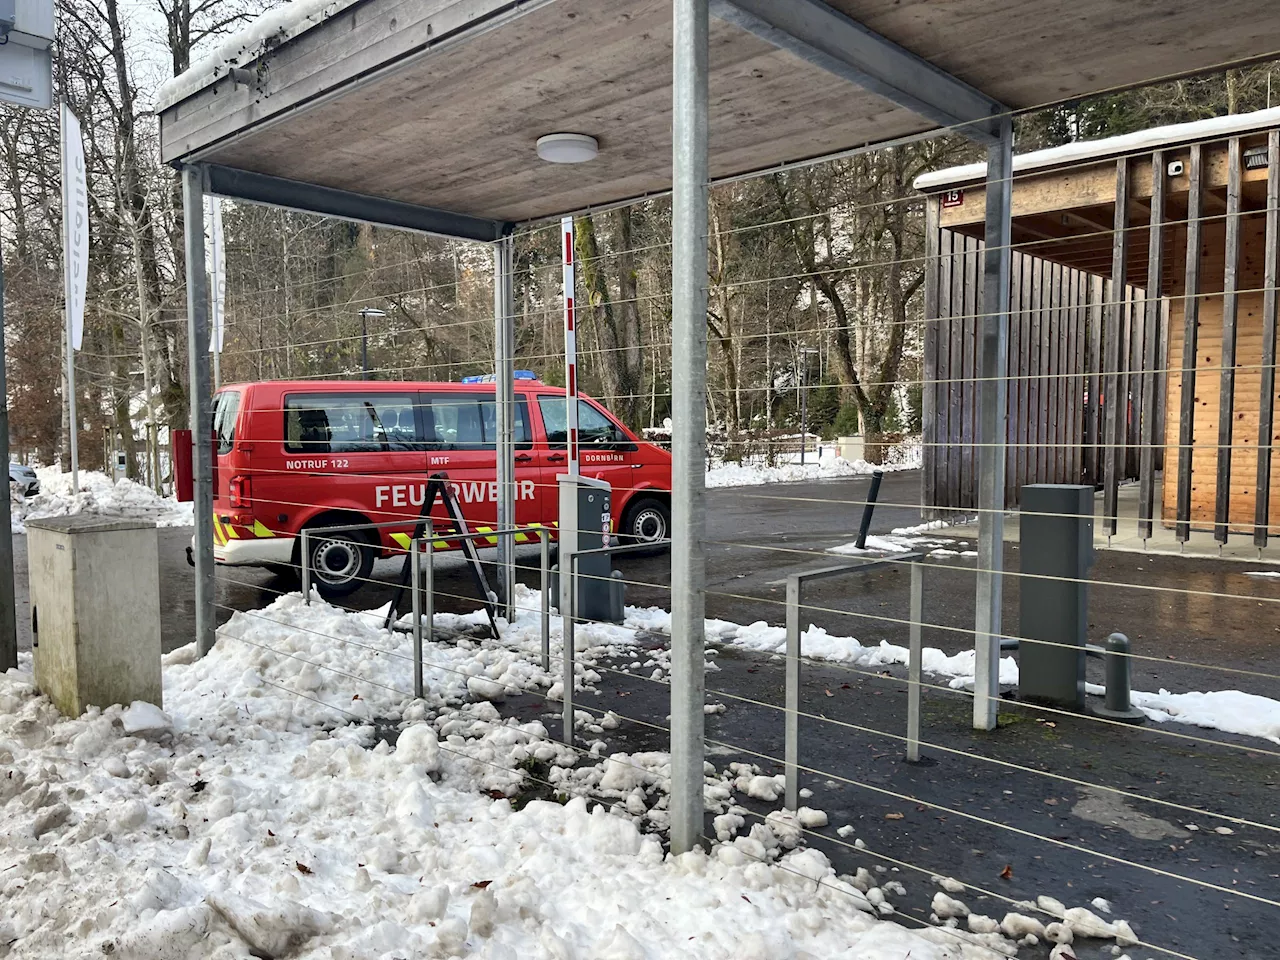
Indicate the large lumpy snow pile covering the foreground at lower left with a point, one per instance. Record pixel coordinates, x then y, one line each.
250 821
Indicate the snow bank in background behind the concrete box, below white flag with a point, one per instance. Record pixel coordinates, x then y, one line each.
98 495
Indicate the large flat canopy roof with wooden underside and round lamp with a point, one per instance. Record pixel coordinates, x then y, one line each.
438 103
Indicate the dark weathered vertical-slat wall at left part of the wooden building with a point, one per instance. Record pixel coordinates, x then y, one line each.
1055 427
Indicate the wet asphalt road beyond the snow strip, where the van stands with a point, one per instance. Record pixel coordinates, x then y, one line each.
1178 611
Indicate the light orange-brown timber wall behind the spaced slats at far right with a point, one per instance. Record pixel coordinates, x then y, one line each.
1209 360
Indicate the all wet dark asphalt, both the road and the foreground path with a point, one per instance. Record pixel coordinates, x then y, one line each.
981 802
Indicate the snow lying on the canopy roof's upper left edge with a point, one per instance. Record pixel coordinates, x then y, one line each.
258 38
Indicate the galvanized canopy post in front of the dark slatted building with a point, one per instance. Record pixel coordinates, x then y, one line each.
991 429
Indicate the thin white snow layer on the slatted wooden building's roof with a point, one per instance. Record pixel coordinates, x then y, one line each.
1098 149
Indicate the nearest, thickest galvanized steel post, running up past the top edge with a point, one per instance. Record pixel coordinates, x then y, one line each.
689 418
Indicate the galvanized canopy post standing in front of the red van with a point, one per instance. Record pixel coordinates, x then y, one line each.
505 396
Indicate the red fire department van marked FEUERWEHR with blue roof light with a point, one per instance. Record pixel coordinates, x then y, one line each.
312 454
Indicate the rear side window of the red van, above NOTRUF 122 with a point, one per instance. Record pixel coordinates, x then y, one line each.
350 423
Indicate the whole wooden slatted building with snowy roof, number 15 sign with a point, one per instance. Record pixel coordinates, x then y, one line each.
1145 269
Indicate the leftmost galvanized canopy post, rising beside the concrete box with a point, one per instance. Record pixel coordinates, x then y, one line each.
202 409
